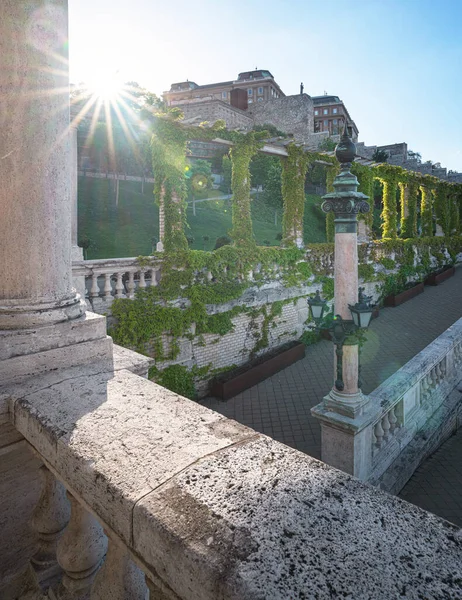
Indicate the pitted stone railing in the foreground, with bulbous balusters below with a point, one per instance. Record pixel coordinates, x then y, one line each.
143 489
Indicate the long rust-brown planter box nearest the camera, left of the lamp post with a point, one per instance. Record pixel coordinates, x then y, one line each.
245 377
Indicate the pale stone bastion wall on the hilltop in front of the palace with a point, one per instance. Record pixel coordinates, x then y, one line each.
291 114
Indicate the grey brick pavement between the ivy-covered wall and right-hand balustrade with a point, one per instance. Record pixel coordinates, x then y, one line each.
280 406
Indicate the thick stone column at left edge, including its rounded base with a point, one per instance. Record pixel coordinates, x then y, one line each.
35 225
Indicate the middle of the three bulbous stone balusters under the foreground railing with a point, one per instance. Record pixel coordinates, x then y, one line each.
80 550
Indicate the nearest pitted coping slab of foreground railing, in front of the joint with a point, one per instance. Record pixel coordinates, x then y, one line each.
261 521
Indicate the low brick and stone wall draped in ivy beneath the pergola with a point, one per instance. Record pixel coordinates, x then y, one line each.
213 311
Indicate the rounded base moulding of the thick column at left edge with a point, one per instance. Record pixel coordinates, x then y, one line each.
21 314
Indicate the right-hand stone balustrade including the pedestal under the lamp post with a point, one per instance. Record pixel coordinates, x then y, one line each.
406 419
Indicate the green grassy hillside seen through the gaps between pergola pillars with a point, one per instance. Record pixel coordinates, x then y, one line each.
131 228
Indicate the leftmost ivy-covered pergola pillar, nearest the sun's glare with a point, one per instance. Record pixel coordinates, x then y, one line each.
169 163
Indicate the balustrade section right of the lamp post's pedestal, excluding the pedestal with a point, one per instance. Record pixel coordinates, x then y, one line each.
418 408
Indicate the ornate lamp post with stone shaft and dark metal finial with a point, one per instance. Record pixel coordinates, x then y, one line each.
346 202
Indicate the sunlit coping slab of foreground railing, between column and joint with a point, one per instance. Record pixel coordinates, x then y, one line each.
115 437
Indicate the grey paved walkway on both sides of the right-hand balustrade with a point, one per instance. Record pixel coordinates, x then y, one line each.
280 406
